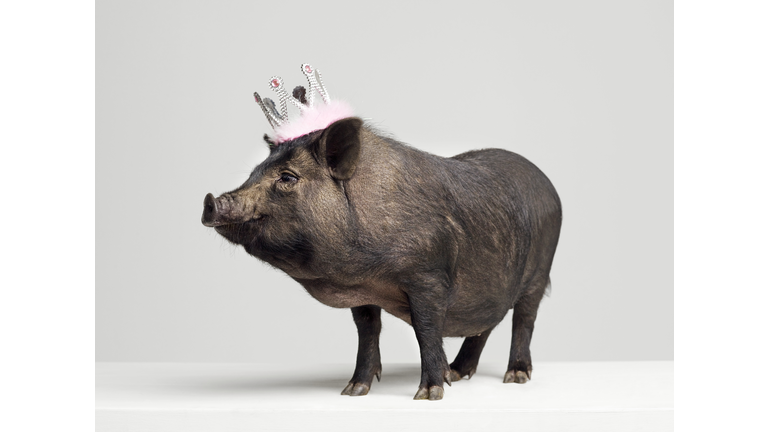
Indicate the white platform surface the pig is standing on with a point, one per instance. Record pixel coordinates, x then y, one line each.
589 396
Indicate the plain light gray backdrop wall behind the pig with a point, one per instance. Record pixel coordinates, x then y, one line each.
583 89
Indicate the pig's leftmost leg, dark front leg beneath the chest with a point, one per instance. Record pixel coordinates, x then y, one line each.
368 321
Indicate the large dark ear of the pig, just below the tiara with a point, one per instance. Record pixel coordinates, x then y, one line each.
339 146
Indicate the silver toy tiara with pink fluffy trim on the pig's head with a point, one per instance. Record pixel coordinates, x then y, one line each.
312 117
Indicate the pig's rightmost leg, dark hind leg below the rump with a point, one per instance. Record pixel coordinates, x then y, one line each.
523 316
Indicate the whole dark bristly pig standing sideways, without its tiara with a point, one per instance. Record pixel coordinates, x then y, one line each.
362 221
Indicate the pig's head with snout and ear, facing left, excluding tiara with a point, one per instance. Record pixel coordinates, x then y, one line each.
293 206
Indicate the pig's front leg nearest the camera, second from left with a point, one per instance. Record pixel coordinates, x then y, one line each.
428 308
